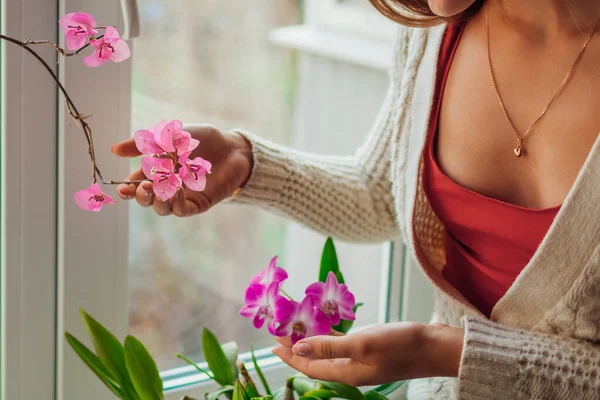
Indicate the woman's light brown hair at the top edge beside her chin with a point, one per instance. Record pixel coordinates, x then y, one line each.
417 12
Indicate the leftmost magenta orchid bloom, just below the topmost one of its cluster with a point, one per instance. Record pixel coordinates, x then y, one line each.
260 302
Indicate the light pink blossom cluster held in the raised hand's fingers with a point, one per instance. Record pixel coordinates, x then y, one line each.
167 162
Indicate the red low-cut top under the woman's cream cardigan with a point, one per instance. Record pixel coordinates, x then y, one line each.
488 242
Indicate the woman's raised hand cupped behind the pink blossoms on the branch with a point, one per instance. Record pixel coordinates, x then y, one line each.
231 158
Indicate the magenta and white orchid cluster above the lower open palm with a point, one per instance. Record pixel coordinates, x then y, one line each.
324 305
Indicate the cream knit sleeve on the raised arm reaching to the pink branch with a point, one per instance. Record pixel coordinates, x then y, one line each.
349 198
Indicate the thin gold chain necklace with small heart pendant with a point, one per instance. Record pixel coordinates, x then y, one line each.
520 150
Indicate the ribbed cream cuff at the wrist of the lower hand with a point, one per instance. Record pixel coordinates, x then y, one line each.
491 361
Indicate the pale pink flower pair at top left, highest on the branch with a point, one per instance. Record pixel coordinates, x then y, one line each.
81 29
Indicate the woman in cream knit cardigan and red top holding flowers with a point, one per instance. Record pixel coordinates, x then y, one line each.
485 159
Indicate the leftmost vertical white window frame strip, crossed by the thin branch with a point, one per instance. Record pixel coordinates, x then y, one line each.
28 214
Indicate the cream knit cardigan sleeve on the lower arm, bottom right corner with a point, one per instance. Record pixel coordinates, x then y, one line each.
500 362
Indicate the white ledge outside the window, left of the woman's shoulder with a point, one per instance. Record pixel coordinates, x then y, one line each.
363 51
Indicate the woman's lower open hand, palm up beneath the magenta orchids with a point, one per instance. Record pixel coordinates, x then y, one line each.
382 354
